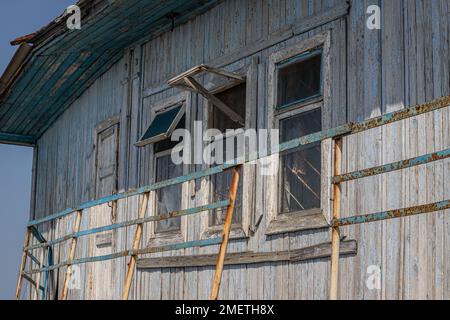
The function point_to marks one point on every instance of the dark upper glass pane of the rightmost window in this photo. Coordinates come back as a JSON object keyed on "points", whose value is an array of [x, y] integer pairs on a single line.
{"points": [[299, 80]]}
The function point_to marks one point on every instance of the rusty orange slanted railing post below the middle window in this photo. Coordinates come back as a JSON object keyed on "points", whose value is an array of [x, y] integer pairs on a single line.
{"points": [[225, 234]]}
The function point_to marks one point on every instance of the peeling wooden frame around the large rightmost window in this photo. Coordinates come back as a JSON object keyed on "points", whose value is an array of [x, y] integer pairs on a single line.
{"points": [[277, 221]]}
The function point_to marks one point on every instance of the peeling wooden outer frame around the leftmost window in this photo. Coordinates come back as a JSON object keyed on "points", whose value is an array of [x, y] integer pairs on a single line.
{"points": [[156, 239]]}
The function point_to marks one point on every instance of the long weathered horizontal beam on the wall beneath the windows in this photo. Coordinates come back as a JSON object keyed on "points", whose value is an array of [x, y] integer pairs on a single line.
{"points": [[319, 251]]}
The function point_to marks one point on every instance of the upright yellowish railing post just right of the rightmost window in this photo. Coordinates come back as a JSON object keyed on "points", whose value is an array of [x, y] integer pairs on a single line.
{"points": [[335, 233]]}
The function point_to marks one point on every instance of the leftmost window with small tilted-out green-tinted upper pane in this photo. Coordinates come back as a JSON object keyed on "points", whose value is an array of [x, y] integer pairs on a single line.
{"points": [[166, 116]]}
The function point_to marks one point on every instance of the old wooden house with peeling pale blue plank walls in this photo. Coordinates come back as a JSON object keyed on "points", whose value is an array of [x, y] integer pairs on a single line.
{"points": [[99, 104]]}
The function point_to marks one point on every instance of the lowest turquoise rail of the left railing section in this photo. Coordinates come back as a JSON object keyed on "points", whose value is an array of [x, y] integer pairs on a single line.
{"points": [[171, 247]]}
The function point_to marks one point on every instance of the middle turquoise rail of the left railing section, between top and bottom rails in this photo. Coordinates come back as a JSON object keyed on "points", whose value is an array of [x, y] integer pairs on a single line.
{"points": [[115, 226]]}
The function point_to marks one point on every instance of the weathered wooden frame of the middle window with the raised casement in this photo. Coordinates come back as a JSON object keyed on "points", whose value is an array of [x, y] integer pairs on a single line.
{"points": [[238, 230]]}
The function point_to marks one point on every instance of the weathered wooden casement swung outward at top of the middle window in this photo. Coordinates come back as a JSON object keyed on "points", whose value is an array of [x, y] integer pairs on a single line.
{"points": [[187, 81]]}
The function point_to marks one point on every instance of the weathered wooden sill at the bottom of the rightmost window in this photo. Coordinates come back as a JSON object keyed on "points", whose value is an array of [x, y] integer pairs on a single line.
{"points": [[299, 221]]}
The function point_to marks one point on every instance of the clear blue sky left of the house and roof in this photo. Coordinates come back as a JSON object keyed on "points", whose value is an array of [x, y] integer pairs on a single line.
{"points": [[17, 18]]}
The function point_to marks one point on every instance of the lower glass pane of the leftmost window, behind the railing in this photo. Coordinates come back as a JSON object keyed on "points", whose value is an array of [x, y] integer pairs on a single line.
{"points": [[169, 198]]}
